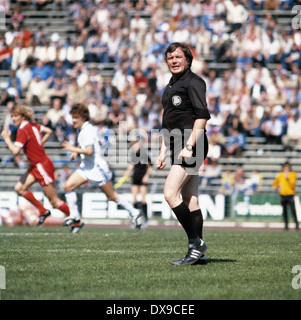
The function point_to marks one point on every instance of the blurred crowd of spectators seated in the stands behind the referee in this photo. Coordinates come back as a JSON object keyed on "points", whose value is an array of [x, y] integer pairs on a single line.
{"points": [[257, 94]]}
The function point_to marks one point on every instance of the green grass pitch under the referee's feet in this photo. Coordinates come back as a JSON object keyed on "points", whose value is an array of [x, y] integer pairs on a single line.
{"points": [[122, 264]]}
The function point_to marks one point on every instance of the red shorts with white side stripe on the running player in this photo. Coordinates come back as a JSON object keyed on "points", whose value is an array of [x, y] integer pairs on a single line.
{"points": [[43, 172]]}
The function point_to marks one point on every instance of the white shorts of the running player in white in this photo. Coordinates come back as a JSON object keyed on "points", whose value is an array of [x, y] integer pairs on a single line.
{"points": [[98, 175]]}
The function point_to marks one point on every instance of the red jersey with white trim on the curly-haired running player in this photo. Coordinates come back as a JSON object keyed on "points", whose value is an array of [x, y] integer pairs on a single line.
{"points": [[30, 139]]}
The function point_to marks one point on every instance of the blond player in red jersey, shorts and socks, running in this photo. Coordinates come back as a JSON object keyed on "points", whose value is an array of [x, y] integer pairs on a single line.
{"points": [[31, 138]]}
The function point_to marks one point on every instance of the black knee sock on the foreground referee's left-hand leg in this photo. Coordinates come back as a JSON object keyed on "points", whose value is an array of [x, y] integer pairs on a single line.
{"points": [[183, 214]]}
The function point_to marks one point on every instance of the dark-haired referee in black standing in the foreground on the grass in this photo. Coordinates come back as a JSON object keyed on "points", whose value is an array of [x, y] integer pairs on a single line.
{"points": [[184, 121]]}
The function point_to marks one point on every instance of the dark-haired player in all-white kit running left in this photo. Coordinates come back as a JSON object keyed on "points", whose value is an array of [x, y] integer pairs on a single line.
{"points": [[93, 169]]}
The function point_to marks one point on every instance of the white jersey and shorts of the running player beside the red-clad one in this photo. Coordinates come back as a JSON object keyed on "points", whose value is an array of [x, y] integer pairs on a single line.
{"points": [[93, 168]]}
